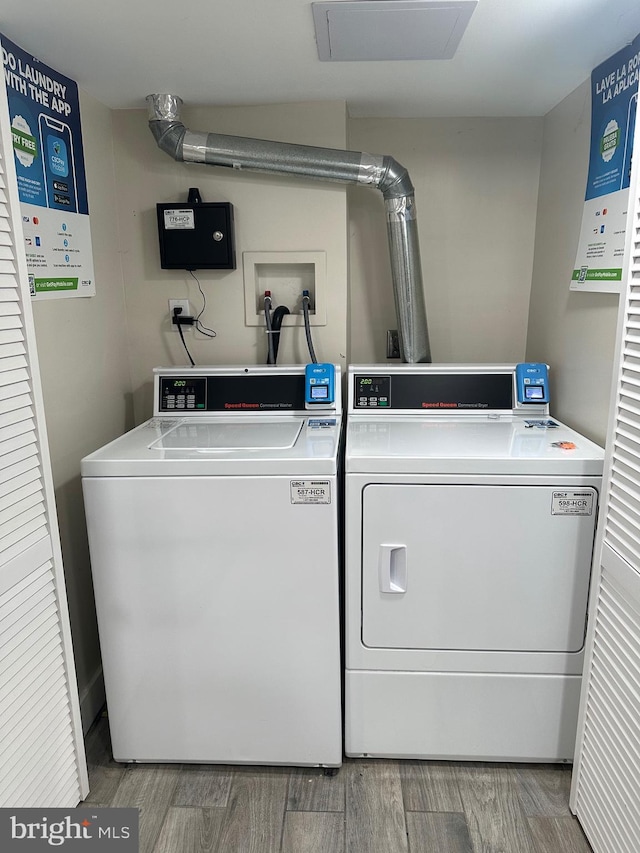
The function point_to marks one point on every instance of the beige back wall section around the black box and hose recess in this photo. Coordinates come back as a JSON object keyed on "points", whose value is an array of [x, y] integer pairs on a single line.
{"points": [[272, 213]]}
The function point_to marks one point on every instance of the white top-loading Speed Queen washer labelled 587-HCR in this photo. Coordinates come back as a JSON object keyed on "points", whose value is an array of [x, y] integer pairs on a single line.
{"points": [[213, 531]]}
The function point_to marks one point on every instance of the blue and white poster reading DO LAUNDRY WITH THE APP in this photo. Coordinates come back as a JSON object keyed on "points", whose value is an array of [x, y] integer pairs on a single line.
{"points": [[44, 111]]}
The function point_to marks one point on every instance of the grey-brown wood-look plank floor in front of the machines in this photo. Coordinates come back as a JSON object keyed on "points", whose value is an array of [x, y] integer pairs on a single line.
{"points": [[368, 807]]}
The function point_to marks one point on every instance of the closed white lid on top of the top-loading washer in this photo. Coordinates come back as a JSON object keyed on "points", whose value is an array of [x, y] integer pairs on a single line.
{"points": [[231, 434]]}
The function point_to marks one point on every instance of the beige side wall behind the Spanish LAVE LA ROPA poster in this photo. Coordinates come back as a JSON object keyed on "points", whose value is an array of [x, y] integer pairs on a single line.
{"points": [[573, 332]]}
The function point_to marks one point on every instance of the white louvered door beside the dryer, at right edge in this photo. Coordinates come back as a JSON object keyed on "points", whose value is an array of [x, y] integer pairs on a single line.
{"points": [[605, 792]]}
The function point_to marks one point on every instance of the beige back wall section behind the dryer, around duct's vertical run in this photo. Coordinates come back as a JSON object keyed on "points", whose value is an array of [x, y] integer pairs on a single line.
{"points": [[476, 184]]}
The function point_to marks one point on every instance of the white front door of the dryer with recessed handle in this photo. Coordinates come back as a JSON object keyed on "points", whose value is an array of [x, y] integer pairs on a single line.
{"points": [[494, 568]]}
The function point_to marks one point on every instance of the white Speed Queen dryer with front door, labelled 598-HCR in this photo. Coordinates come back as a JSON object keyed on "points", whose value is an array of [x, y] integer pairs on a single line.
{"points": [[470, 519]]}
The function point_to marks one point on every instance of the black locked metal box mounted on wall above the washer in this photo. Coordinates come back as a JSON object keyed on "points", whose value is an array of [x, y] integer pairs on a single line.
{"points": [[196, 236]]}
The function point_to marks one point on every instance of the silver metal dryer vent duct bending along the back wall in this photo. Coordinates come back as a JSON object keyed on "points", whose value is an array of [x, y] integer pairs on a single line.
{"points": [[325, 164]]}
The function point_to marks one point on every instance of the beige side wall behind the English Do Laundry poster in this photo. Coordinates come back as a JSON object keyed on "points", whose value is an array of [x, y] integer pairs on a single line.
{"points": [[82, 350]]}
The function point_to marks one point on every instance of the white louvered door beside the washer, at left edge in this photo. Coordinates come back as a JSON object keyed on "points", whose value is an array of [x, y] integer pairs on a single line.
{"points": [[42, 761]]}
